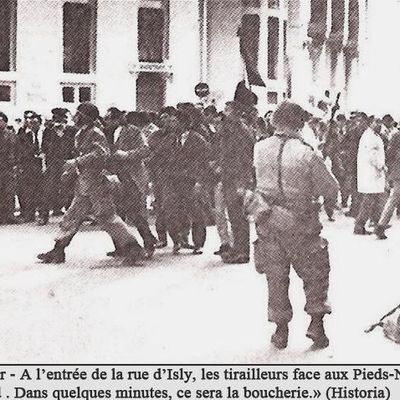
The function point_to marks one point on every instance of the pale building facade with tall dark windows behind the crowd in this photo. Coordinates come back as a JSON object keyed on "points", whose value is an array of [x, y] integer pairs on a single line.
{"points": [[143, 54]]}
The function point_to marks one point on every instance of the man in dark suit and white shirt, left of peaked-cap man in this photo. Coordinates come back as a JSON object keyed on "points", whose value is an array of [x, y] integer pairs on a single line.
{"points": [[29, 163]]}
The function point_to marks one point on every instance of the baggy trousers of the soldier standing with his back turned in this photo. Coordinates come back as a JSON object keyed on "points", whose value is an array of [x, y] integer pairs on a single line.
{"points": [[308, 255]]}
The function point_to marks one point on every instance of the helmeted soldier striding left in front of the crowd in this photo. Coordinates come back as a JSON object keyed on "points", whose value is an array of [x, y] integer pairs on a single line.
{"points": [[92, 190]]}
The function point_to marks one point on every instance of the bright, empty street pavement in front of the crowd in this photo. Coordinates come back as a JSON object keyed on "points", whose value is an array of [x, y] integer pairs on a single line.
{"points": [[184, 309]]}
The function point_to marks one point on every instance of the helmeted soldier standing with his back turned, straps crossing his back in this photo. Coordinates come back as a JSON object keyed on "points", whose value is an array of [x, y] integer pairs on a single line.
{"points": [[290, 178]]}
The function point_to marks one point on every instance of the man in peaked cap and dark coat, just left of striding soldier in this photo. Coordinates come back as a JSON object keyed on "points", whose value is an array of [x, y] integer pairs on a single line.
{"points": [[57, 147]]}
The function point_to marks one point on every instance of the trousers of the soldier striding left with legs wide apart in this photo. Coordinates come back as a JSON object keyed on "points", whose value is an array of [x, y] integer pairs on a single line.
{"points": [[103, 208]]}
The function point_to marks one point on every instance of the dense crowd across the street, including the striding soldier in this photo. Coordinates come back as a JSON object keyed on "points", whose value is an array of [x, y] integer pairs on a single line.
{"points": [[197, 163]]}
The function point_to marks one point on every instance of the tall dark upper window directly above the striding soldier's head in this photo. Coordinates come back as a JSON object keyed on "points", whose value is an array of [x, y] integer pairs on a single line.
{"points": [[78, 37]]}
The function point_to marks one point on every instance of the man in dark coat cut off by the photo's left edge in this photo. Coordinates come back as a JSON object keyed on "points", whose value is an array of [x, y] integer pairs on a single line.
{"points": [[6, 172]]}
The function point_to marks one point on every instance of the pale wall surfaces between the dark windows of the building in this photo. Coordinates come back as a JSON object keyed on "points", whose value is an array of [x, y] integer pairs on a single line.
{"points": [[40, 58]]}
